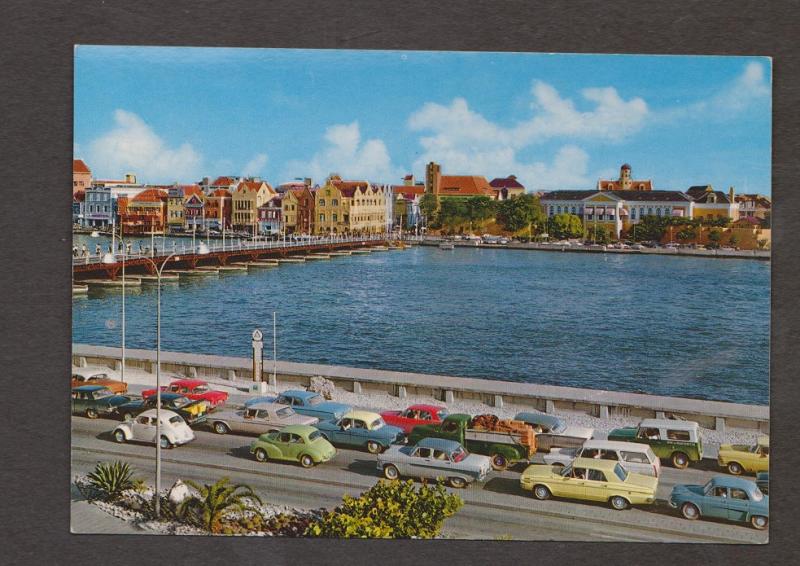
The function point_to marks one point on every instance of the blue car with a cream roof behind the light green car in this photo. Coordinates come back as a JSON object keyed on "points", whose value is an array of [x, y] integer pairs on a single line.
{"points": [[361, 429]]}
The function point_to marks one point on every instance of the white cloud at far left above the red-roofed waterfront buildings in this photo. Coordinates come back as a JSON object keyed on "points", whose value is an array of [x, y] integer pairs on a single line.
{"points": [[133, 146]]}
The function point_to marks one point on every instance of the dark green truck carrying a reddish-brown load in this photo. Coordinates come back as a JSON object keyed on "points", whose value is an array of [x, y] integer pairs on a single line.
{"points": [[504, 441]]}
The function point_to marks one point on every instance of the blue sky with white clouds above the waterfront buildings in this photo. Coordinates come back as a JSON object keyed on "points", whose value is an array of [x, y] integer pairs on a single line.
{"points": [[556, 121]]}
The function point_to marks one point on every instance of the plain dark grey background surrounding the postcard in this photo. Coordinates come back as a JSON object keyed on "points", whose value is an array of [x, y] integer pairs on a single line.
{"points": [[35, 153]]}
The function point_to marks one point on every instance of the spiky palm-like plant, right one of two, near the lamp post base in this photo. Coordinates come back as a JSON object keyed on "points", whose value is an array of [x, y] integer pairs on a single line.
{"points": [[212, 502]]}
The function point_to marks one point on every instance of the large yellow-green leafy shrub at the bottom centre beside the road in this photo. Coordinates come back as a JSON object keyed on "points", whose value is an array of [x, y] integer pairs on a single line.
{"points": [[390, 510]]}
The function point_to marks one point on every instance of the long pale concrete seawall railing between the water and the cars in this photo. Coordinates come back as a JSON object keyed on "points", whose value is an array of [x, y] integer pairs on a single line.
{"points": [[599, 403]]}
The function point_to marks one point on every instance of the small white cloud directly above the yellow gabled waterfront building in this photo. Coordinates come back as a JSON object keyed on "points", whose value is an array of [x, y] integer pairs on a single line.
{"points": [[346, 154]]}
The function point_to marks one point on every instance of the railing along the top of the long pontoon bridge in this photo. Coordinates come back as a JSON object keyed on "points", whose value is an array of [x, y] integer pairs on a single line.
{"points": [[186, 248]]}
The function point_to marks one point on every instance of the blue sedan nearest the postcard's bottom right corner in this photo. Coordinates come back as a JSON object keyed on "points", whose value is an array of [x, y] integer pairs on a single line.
{"points": [[723, 497]]}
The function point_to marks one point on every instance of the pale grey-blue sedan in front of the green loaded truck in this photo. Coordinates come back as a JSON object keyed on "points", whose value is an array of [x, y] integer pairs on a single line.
{"points": [[433, 458]]}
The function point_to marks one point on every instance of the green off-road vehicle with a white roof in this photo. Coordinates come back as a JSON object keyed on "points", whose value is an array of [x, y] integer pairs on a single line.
{"points": [[678, 441]]}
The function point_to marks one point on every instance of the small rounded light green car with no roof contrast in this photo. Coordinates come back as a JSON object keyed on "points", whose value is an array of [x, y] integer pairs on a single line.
{"points": [[295, 443]]}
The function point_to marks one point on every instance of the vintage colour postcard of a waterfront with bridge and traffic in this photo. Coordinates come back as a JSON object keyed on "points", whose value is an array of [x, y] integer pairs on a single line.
{"points": [[409, 294]]}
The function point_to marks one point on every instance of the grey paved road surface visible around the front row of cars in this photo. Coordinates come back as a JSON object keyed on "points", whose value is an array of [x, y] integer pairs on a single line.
{"points": [[498, 508]]}
